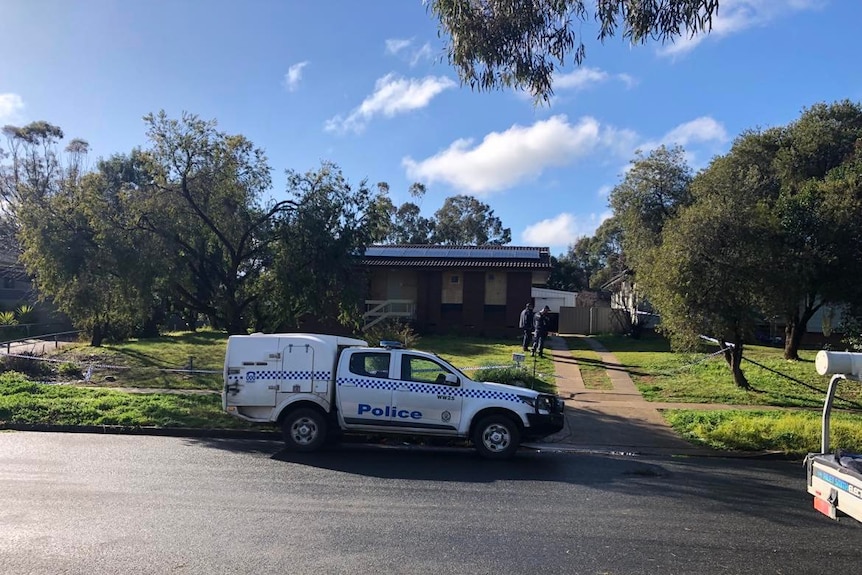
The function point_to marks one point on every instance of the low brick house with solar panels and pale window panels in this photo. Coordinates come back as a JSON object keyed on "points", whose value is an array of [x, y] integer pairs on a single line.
{"points": [[478, 290]]}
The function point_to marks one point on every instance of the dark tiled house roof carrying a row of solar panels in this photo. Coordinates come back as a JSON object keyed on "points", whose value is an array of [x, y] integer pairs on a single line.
{"points": [[434, 256]]}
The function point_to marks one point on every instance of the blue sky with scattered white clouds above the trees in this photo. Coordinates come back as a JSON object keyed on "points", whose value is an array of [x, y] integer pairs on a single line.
{"points": [[365, 85]]}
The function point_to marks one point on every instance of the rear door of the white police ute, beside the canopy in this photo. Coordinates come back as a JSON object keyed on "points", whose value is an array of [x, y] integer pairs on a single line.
{"points": [[365, 393]]}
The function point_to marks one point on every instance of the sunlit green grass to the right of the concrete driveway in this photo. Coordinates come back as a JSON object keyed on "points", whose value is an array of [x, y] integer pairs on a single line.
{"points": [[702, 378]]}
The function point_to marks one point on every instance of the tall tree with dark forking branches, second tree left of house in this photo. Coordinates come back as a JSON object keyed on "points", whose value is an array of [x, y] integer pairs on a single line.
{"points": [[204, 206]]}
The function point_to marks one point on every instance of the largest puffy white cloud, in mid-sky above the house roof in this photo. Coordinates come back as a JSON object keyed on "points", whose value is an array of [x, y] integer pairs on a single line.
{"points": [[504, 159]]}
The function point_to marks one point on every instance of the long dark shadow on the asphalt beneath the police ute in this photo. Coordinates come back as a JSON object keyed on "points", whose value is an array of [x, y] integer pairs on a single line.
{"points": [[732, 485]]}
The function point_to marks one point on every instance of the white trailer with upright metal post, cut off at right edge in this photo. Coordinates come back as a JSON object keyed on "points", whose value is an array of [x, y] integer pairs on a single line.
{"points": [[835, 478]]}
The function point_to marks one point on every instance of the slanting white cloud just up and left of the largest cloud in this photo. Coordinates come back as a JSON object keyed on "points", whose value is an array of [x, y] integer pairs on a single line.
{"points": [[392, 96]]}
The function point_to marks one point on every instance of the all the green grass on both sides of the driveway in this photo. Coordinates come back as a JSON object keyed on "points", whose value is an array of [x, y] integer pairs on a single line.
{"points": [[659, 374]]}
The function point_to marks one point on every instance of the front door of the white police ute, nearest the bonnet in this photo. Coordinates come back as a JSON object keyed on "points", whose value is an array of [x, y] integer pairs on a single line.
{"points": [[422, 394]]}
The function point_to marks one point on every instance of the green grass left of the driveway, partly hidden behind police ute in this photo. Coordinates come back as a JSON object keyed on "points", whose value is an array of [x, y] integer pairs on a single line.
{"points": [[147, 363]]}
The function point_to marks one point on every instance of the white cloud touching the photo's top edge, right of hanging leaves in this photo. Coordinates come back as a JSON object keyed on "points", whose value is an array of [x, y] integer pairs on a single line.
{"points": [[737, 15]]}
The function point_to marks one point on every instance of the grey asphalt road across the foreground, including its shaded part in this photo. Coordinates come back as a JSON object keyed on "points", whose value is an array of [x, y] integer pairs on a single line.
{"points": [[93, 504]]}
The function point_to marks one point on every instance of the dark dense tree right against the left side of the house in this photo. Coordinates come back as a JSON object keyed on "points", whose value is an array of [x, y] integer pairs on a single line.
{"points": [[312, 269]]}
